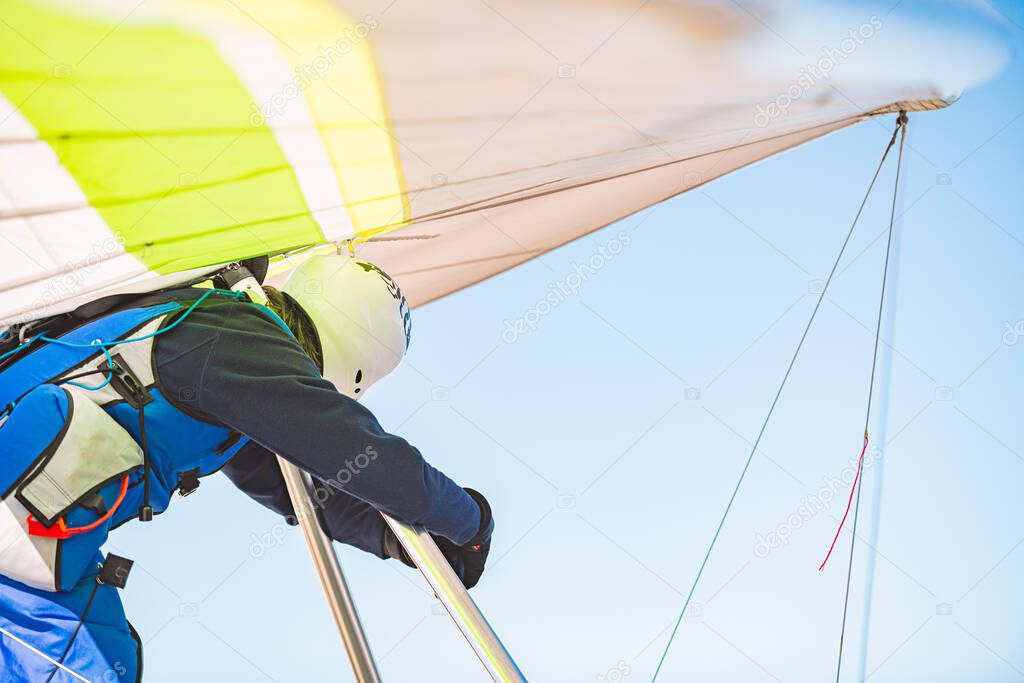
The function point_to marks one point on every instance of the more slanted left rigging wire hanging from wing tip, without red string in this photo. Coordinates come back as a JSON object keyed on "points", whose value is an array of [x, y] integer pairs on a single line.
{"points": [[772, 410]]}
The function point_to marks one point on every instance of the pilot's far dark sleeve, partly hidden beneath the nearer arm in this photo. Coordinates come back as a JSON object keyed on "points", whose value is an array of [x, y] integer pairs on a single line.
{"points": [[345, 518]]}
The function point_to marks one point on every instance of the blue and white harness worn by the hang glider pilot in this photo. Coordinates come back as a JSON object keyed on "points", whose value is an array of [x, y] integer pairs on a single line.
{"points": [[90, 441]]}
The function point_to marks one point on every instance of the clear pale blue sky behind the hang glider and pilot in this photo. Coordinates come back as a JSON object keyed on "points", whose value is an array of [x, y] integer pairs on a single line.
{"points": [[610, 437]]}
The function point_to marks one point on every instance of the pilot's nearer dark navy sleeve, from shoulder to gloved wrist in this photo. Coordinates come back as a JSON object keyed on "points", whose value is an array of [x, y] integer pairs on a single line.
{"points": [[233, 365]]}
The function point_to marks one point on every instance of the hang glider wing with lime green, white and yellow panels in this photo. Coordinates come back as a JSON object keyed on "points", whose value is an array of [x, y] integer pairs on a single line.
{"points": [[142, 145]]}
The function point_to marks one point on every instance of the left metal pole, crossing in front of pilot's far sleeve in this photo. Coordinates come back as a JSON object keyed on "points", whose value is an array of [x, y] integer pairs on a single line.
{"points": [[326, 563]]}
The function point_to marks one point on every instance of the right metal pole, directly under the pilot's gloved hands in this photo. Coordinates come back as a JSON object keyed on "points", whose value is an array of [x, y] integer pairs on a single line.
{"points": [[453, 595]]}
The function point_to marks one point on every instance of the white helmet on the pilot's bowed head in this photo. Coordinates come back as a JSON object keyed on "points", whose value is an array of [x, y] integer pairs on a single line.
{"points": [[361, 316]]}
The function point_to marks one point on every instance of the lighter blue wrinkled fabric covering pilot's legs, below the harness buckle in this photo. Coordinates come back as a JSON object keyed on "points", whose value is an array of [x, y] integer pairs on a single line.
{"points": [[80, 635]]}
